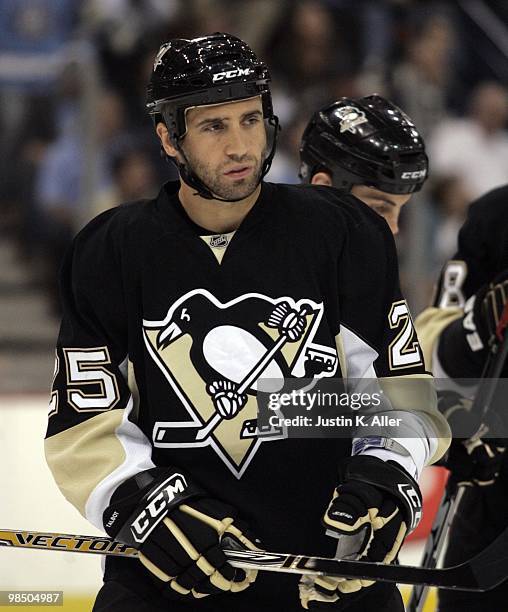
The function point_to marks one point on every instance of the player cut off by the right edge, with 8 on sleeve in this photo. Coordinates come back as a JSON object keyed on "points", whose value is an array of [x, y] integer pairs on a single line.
{"points": [[455, 334]]}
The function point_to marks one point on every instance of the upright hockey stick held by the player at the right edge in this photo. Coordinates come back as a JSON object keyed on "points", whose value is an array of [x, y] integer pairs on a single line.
{"points": [[453, 492]]}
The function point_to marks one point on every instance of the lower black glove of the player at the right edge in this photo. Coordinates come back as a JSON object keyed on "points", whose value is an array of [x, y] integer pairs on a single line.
{"points": [[471, 462]]}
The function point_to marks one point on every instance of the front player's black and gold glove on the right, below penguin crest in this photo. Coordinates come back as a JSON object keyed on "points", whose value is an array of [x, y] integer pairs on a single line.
{"points": [[377, 499]]}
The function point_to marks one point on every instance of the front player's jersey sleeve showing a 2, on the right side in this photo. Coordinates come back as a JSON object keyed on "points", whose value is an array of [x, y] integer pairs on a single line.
{"points": [[378, 339]]}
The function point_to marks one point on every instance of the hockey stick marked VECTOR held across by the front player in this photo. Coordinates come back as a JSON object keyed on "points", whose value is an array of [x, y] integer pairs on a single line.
{"points": [[483, 572]]}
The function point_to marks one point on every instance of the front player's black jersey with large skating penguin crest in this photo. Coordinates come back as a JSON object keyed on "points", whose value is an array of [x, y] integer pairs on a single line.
{"points": [[157, 312]]}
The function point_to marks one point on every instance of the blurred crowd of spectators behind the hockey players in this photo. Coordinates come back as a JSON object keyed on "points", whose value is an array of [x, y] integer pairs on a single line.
{"points": [[75, 138]]}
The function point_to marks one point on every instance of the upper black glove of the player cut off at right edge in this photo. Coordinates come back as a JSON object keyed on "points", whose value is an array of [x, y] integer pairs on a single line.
{"points": [[463, 345]]}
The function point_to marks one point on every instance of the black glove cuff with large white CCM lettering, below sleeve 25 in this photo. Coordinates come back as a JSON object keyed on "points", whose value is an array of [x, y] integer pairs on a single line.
{"points": [[140, 503]]}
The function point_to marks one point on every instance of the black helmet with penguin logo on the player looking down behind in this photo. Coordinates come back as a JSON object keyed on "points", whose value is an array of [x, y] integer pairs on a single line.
{"points": [[364, 141]]}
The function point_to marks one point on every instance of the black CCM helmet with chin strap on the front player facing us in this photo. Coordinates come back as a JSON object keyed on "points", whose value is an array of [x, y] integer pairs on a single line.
{"points": [[211, 69]]}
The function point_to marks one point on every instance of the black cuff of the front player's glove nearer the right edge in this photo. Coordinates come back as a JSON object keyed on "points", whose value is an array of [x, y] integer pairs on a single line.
{"points": [[388, 476]]}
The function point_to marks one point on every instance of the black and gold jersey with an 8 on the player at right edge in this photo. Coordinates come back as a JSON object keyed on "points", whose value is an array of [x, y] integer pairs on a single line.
{"points": [[482, 254]]}
